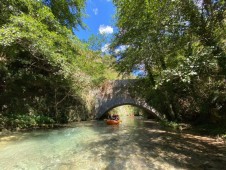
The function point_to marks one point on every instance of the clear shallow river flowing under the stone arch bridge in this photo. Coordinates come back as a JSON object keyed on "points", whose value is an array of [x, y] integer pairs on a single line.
{"points": [[135, 144]]}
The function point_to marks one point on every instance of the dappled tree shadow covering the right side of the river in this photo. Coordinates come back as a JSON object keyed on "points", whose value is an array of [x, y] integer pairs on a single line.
{"points": [[149, 146]]}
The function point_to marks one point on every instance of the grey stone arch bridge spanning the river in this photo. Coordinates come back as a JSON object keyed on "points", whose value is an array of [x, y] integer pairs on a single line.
{"points": [[117, 93]]}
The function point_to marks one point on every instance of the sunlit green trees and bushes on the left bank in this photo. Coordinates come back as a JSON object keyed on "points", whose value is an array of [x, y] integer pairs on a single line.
{"points": [[43, 66]]}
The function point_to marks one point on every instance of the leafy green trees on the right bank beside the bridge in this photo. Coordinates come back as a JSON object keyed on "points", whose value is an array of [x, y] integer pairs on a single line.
{"points": [[180, 47]]}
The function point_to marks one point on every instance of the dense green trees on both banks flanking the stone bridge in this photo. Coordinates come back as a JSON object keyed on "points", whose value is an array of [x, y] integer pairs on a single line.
{"points": [[178, 47]]}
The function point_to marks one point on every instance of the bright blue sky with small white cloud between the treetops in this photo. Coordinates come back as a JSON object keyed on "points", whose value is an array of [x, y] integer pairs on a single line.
{"points": [[99, 20]]}
